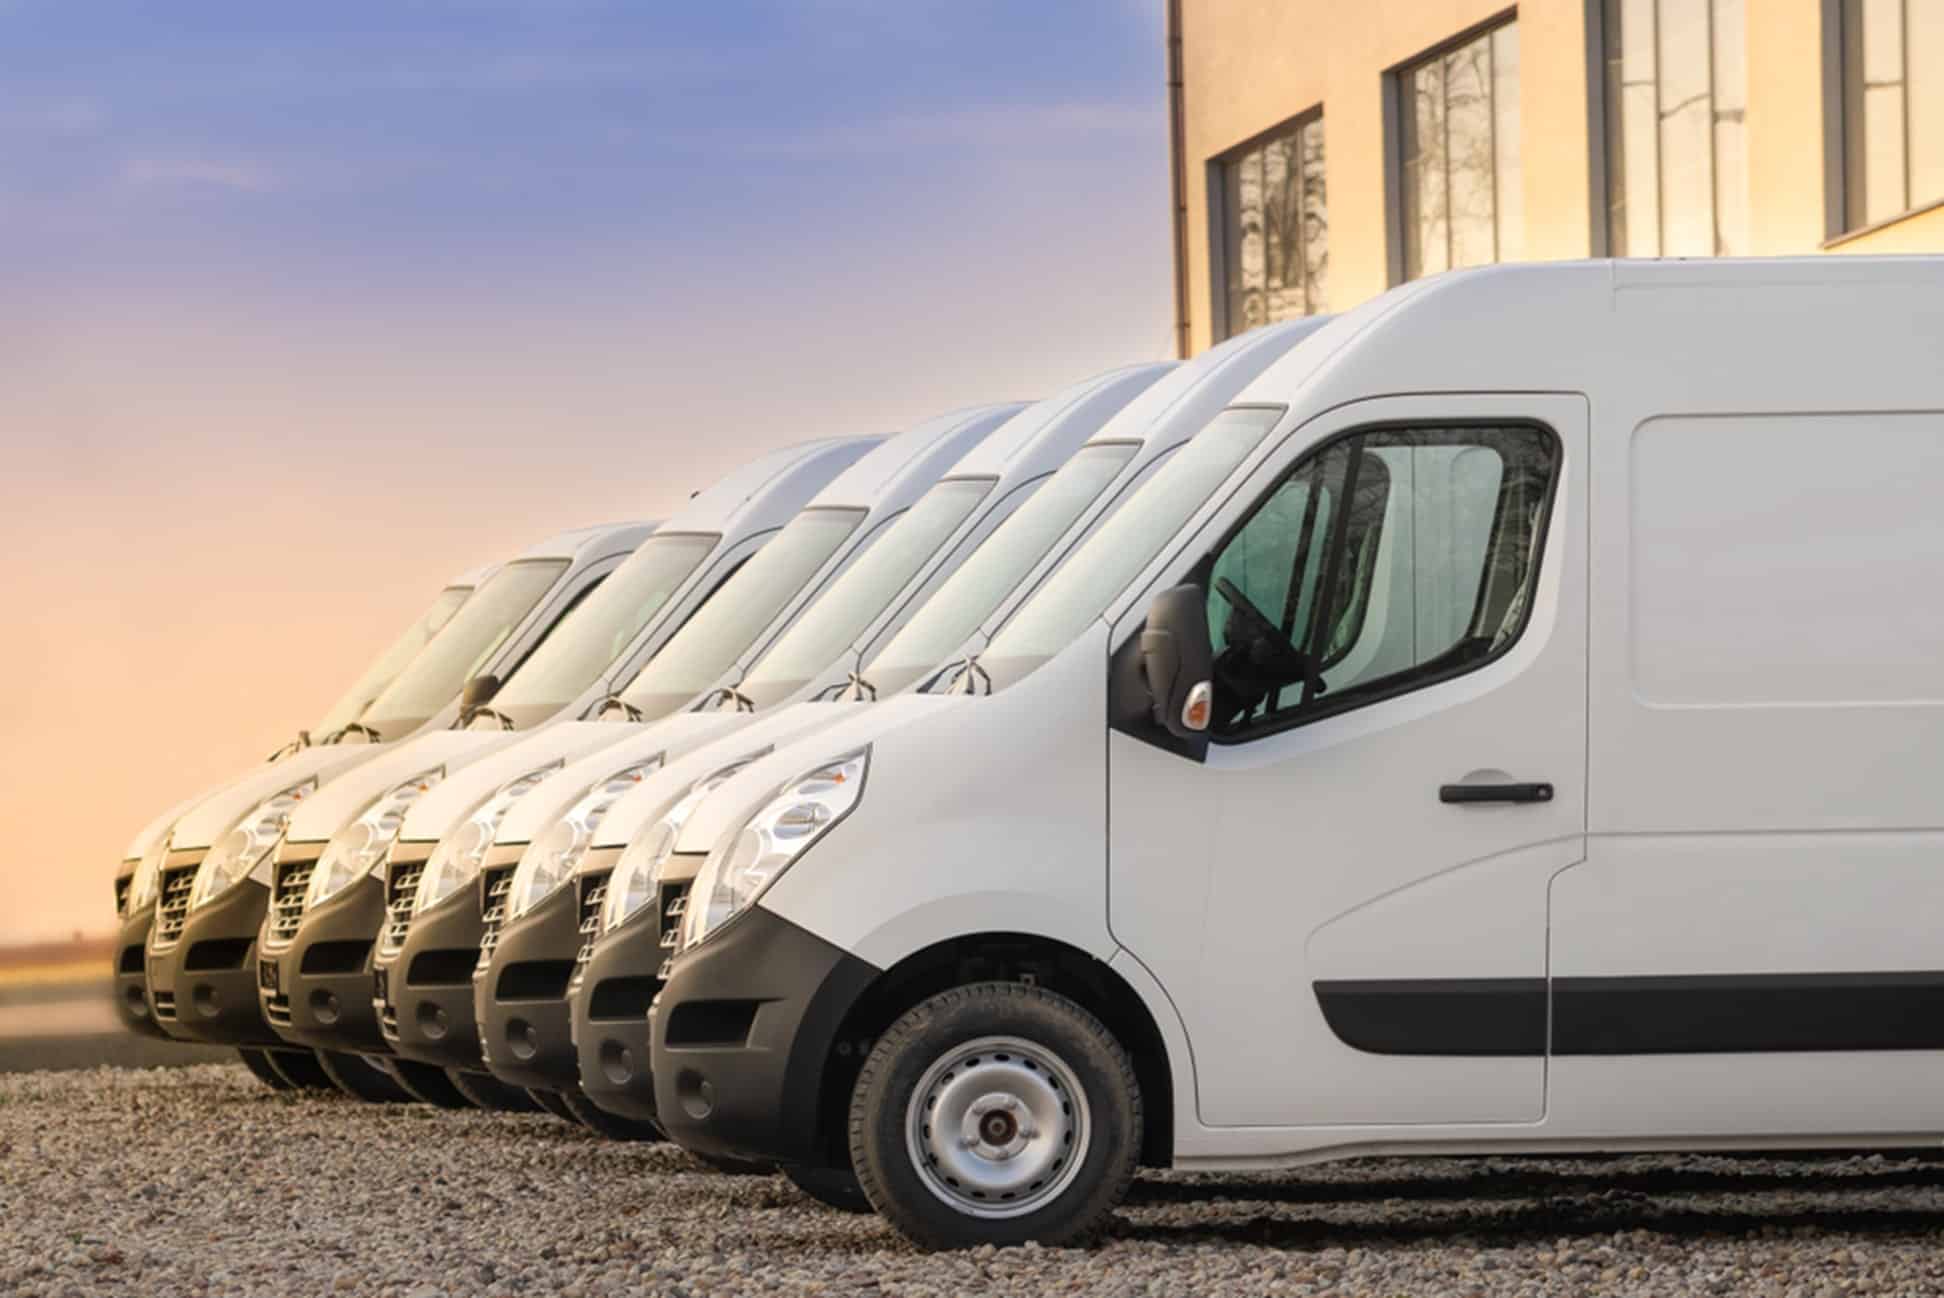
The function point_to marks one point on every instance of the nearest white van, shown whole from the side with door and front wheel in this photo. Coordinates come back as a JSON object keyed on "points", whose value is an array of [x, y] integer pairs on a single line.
{"points": [[1510, 728]]}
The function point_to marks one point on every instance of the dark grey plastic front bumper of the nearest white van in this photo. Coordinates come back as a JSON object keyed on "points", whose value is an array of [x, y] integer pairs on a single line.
{"points": [[742, 1037]]}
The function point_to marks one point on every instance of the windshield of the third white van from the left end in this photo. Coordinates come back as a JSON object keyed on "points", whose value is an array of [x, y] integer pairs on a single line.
{"points": [[606, 625]]}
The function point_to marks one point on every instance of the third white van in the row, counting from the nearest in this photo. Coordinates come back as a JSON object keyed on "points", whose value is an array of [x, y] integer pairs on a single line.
{"points": [[553, 895]]}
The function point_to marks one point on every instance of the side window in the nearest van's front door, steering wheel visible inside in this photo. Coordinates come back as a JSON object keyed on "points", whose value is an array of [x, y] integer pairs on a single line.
{"points": [[1381, 564]]}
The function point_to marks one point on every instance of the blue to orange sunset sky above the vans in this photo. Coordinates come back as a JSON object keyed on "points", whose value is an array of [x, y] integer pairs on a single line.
{"points": [[308, 308]]}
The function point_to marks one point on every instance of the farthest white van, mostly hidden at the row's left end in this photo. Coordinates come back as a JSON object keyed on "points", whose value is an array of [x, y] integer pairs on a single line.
{"points": [[135, 899]]}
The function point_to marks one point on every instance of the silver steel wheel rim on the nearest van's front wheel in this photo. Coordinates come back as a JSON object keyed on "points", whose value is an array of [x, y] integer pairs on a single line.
{"points": [[998, 1128]]}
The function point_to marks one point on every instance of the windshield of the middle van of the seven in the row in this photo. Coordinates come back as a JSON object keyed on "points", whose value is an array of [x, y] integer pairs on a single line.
{"points": [[724, 629]]}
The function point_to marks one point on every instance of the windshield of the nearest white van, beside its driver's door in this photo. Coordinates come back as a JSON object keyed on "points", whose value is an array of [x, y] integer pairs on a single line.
{"points": [[1125, 545]]}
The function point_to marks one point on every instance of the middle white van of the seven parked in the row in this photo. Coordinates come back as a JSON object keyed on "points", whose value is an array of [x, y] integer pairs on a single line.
{"points": [[431, 947]]}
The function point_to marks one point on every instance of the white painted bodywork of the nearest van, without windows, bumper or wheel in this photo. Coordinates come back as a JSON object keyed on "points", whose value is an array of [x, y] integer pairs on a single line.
{"points": [[1727, 677]]}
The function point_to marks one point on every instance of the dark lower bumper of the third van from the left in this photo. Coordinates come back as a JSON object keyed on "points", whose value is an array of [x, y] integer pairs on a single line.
{"points": [[318, 990]]}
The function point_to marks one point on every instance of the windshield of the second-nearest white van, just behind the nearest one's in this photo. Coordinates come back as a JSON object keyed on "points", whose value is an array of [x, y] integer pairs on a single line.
{"points": [[971, 596]]}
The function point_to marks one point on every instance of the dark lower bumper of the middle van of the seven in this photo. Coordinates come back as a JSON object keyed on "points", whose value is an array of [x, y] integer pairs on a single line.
{"points": [[427, 1004]]}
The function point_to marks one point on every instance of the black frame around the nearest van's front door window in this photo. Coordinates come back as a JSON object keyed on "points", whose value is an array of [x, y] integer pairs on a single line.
{"points": [[1408, 681]]}
